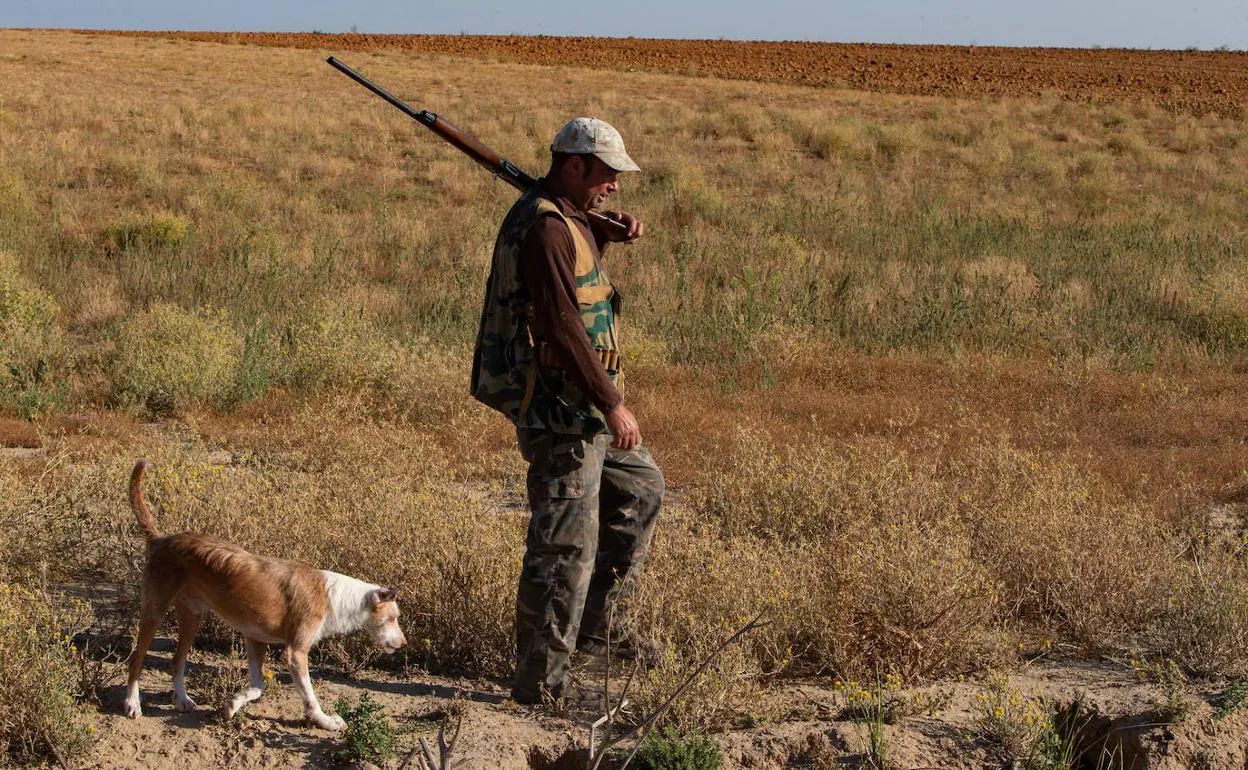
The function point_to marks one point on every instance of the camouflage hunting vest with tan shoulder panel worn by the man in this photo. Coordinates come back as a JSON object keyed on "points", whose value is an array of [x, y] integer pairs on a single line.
{"points": [[507, 375]]}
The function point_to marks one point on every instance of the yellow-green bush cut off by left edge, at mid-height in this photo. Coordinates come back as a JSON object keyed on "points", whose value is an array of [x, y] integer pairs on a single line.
{"points": [[34, 355]]}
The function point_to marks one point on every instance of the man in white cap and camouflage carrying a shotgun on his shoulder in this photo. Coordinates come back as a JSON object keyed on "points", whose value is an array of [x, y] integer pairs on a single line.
{"points": [[548, 359]]}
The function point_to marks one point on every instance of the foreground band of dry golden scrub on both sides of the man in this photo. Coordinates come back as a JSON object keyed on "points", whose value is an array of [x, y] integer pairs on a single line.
{"points": [[867, 556]]}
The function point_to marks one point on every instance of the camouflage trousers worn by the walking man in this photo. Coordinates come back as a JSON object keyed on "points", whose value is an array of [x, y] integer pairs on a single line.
{"points": [[593, 515]]}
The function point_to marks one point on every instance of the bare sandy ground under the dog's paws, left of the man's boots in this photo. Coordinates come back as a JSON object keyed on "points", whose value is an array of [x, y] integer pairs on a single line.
{"points": [[271, 733]]}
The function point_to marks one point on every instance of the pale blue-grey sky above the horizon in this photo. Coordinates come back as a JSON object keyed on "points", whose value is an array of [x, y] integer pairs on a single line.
{"points": [[1159, 24]]}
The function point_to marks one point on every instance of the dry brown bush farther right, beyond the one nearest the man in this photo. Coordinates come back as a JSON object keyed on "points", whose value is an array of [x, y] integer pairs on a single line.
{"points": [[1064, 555]]}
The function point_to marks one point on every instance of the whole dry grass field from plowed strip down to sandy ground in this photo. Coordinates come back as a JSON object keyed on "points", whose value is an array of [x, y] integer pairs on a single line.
{"points": [[927, 378]]}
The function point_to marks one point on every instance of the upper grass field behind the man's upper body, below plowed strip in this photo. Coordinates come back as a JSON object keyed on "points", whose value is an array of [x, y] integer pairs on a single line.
{"points": [[874, 223]]}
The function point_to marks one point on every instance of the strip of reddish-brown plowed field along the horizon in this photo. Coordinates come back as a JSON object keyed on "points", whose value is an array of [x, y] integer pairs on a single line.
{"points": [[1189, 82]]}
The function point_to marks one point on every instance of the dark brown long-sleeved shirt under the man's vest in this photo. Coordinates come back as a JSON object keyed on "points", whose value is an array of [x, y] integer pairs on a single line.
{"points": [[547, 265]]}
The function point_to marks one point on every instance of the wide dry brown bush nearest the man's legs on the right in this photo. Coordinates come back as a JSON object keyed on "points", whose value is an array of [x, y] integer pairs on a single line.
{"points": [[872, 561]]}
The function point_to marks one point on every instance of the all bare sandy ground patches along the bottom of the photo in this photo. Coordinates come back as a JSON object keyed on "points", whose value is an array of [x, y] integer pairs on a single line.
{"points": [[497, 733]]}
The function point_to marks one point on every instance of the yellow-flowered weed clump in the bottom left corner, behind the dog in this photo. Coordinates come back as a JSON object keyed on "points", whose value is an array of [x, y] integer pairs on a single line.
{"points": [[41, 718]]}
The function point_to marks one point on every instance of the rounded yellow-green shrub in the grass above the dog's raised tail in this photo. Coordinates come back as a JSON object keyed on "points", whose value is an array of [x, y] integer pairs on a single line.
{"points": [[170, 359]]}
